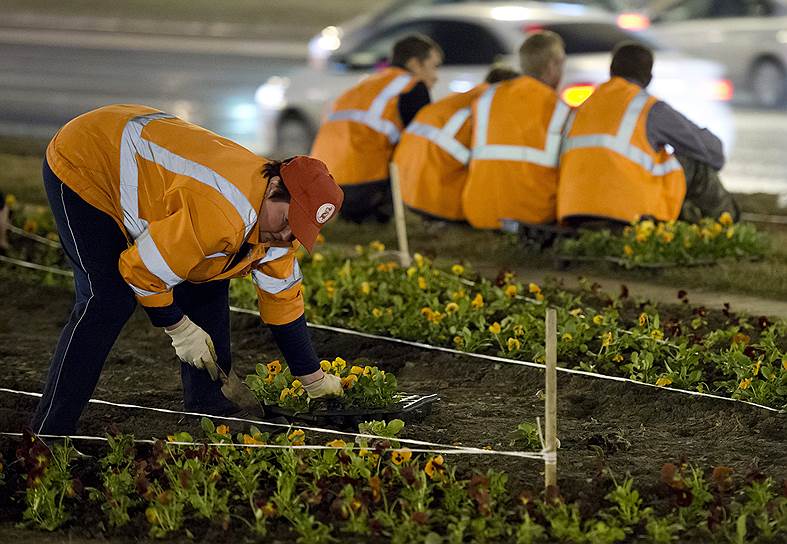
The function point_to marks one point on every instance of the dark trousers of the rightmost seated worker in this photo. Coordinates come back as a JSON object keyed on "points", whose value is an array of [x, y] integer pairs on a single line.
{"points": [[705, 194]]}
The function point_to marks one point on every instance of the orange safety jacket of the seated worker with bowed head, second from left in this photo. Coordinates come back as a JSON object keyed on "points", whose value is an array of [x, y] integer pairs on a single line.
{"points": [[433, 154]]}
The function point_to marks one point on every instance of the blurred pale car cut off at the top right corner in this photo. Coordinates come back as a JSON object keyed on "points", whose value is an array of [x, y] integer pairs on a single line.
{"points": [[749, 37]]}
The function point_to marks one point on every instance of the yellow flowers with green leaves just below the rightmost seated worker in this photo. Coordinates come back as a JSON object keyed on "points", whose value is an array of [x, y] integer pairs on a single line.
{"points": [[646, 243]]}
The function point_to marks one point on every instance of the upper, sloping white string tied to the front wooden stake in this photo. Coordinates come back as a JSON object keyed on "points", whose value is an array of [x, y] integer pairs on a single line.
{"points": [[287, 426]]}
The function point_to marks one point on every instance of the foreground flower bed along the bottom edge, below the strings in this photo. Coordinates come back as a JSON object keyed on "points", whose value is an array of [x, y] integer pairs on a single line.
{"points": [[370, 489]]}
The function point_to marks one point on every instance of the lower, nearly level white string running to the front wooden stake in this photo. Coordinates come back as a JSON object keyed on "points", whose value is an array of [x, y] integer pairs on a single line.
{"points": [[350, 446]]}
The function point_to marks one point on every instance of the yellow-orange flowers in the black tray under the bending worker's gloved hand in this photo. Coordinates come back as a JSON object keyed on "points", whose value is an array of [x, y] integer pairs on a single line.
{"points": [[364, 386]]}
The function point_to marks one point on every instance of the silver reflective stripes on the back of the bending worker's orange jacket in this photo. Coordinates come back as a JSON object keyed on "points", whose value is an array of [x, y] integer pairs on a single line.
{"points": [[131, 145]]}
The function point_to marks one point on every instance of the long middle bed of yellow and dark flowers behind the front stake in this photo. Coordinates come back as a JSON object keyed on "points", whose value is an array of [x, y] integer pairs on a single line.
{"points": [[734, 355]]}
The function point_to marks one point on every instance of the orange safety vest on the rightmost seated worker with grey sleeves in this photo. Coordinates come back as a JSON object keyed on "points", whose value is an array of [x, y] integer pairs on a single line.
{"points": [[608, 167]]}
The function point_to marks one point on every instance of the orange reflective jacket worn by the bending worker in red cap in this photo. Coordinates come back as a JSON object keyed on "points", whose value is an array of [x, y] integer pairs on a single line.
{"points": [[186, 199]]}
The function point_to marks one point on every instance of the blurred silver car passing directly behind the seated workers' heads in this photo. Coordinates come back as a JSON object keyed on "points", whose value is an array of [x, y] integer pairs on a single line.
{"points": [[474, 36]]}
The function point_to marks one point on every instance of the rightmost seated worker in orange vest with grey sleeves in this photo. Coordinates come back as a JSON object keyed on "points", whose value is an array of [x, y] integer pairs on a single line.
{"points": [[615, 165]]}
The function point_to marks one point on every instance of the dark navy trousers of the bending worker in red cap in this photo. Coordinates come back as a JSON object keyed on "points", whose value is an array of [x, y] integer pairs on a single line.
{"points": [[93, 243]]}
